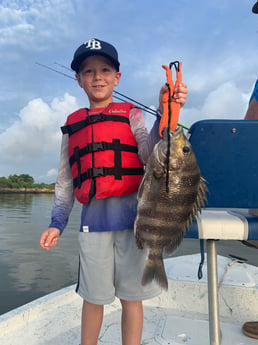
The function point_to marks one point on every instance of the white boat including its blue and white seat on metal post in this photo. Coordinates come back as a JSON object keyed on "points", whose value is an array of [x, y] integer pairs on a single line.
{"points": [[193, 311]]}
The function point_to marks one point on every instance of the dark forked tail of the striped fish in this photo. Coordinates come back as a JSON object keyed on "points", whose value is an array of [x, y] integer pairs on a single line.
{"points": [[155, 270]]}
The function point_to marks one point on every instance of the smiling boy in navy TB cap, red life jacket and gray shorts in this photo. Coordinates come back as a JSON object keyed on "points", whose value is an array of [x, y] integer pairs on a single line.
{"points": [[106, 146]]}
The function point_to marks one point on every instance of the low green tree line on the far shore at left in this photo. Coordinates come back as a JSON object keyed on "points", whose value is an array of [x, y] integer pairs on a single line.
{"points": [[23, 181]]}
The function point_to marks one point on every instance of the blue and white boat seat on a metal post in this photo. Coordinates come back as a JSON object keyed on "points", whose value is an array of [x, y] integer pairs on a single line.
{"points": [[227, 155]]}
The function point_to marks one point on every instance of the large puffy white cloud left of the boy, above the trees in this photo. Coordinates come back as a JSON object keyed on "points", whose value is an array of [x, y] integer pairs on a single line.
{"points": [[36, 135]]}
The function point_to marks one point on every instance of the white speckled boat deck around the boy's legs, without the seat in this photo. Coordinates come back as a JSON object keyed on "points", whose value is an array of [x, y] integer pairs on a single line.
{"points": [[179, 316]]}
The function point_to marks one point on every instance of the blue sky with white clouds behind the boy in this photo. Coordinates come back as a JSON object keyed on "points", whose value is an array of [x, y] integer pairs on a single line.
{"points": [[216, 41]]}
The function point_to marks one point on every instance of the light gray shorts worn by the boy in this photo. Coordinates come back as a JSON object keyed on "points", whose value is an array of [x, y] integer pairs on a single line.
{"points": [[111, 265]]}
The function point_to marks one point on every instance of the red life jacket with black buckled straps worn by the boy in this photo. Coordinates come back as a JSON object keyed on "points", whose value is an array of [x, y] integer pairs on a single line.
{"points": [[103, 153]]}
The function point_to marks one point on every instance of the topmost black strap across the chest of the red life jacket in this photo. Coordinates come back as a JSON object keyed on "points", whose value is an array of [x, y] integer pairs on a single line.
{"points": [[91, 119]]}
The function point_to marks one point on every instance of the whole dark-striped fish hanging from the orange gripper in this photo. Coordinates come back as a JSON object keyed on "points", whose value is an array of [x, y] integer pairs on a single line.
{"points": [[170, 196]]}
